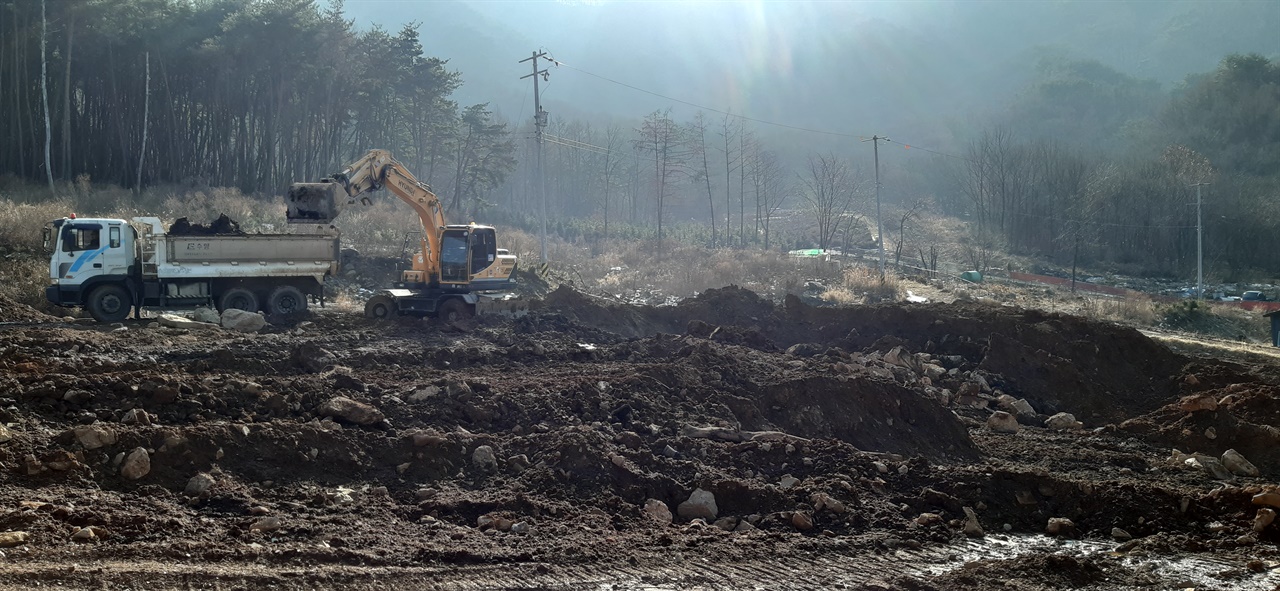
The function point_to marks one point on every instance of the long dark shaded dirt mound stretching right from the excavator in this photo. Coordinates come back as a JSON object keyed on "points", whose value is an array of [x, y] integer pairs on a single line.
{"points": [[1100, 373]]}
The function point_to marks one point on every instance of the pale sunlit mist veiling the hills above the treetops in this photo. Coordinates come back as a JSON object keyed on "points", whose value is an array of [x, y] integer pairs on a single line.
{"points": [[929, 71]]}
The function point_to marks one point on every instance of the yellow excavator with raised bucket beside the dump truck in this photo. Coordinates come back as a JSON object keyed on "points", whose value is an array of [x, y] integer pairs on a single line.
{"points": [[455, 265]]}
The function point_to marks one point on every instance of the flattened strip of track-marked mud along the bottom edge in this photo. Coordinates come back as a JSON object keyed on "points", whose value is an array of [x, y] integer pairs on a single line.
{"points": [[799, 572]]}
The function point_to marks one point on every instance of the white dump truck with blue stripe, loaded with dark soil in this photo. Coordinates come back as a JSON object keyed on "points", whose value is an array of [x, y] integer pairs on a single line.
{"points": [[112, 267]]}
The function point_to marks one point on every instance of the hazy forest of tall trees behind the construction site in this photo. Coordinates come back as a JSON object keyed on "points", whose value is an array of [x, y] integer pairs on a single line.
{"points": [[1085, 164]]}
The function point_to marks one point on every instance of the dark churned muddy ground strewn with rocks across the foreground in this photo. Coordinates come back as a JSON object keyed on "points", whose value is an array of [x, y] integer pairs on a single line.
{"points": [[843, 448]]}
